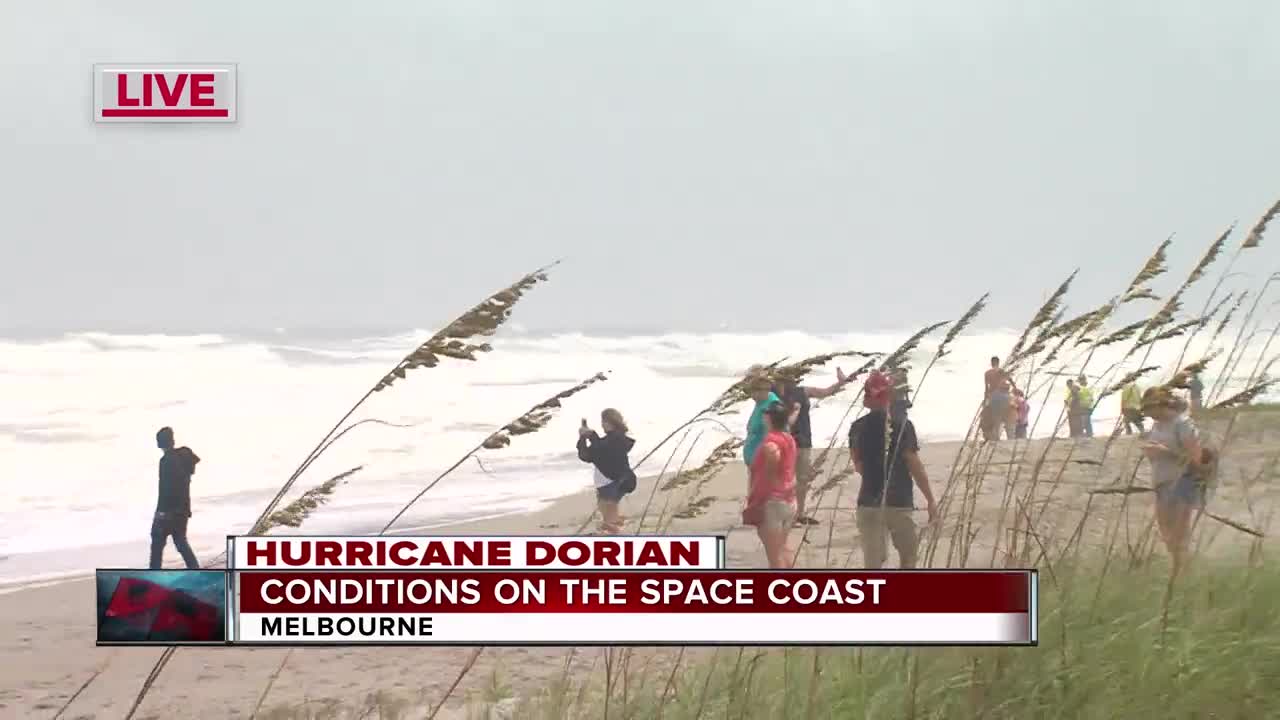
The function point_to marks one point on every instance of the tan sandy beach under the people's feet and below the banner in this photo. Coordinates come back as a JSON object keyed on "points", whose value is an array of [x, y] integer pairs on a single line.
{"points": [[47, 644]]}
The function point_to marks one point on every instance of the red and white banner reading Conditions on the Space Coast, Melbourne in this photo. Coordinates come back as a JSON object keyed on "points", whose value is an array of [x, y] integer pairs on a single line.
{"points": [[637, 608]]}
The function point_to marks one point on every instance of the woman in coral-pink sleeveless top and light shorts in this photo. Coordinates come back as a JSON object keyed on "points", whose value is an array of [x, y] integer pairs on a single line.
{"points": [[771, 504]]}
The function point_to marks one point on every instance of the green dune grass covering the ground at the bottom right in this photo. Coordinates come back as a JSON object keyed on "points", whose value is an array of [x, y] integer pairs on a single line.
{"points": [[1218, 657]]}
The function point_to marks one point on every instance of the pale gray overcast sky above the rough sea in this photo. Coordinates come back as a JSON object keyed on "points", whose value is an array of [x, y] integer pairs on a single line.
{"points": [[752, 166]]}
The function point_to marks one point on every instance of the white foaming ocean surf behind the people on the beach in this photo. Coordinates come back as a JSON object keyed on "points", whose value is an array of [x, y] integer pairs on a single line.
{"points": [[80, 414]]}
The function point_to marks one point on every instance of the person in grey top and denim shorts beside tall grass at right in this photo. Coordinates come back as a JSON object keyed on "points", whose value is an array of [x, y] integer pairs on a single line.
{"points": [[1180, 473]]}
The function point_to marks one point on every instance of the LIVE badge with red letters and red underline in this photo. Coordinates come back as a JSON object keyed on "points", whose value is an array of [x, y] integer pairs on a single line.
{"points": [[164, 94]]}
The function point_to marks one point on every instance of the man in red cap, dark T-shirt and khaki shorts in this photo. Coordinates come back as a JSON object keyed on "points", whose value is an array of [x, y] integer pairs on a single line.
{"points": [[885, 499]]}
